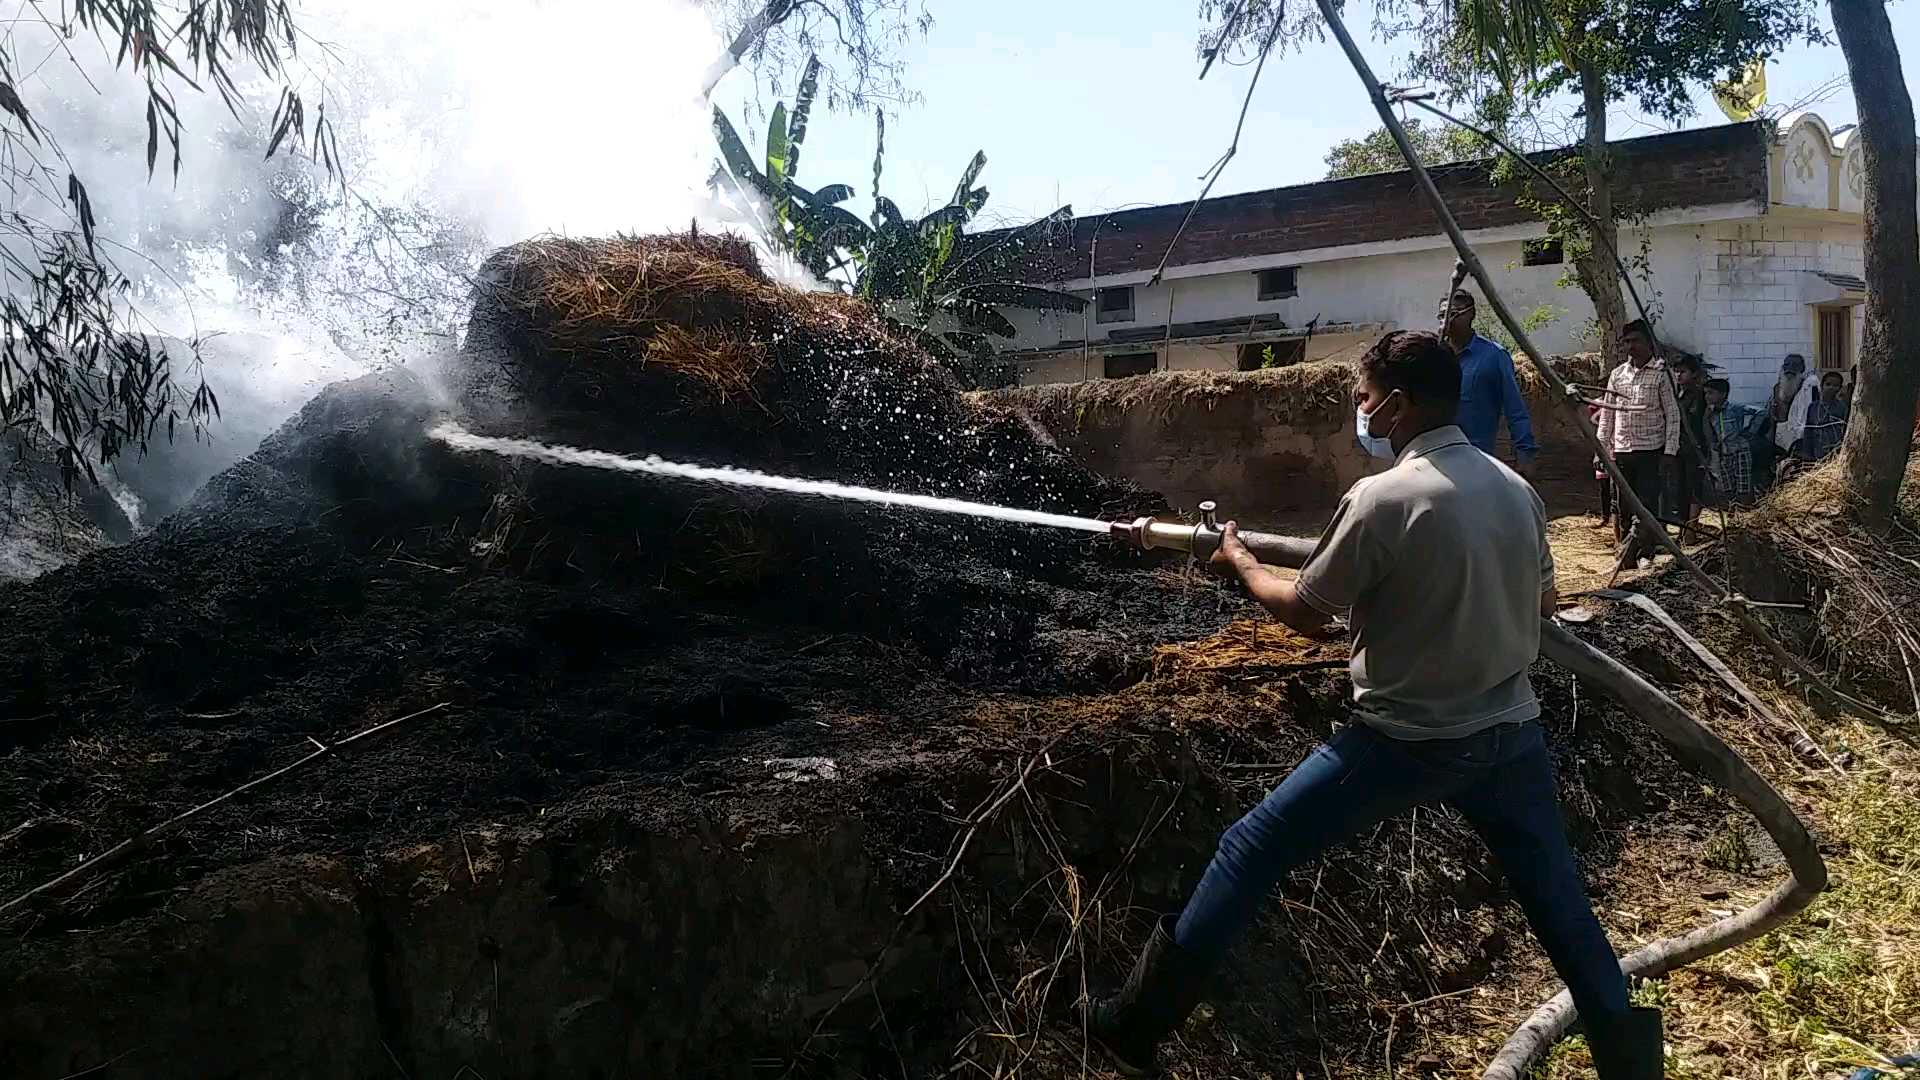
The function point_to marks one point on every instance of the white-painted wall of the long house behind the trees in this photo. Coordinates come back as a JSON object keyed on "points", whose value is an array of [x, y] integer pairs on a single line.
{"points": [[1739, 283]]}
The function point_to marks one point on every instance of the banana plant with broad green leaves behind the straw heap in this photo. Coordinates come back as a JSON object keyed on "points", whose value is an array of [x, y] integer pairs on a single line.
{"points": [[926, 276]]}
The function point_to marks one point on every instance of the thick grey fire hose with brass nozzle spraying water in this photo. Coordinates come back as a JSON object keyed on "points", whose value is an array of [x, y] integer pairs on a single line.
{"points": [[1687, 739]]}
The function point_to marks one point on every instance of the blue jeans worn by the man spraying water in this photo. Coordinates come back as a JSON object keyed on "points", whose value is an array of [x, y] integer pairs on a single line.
{"points": [[1500, 781]]}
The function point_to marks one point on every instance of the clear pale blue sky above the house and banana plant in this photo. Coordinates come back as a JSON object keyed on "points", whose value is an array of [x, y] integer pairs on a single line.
{"points": [[1097, 103]]}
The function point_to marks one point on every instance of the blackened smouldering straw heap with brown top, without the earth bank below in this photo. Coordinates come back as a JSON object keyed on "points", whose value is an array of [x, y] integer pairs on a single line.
{"points": [[588, 626]]}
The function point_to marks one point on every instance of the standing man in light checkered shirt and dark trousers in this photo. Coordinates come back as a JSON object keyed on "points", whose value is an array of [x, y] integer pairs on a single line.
{"points": [[1643, 431]]}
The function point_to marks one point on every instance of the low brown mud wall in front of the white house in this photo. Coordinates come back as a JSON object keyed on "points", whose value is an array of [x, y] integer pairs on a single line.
{"points": [[1260, 443]]}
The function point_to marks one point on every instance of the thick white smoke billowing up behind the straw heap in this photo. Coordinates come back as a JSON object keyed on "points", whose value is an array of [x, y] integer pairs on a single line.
{"points": [[462, 126]]}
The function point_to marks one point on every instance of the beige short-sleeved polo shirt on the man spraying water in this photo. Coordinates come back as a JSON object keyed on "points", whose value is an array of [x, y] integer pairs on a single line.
{"points": [[1439, 566]]}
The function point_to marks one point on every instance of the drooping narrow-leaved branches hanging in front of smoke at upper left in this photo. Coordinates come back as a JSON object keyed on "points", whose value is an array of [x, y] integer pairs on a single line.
{"points": [[72, 356]]}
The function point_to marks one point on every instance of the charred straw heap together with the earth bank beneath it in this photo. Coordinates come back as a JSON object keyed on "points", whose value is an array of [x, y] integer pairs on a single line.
{"points": [[725, 785]]}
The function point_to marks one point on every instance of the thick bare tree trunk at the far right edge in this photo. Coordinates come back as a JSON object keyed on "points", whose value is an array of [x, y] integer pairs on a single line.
{"points": [[1883, 426]]}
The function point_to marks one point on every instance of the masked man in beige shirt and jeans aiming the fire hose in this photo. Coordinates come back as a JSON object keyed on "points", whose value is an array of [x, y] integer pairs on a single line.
{"points": [[1443, 570]]}
